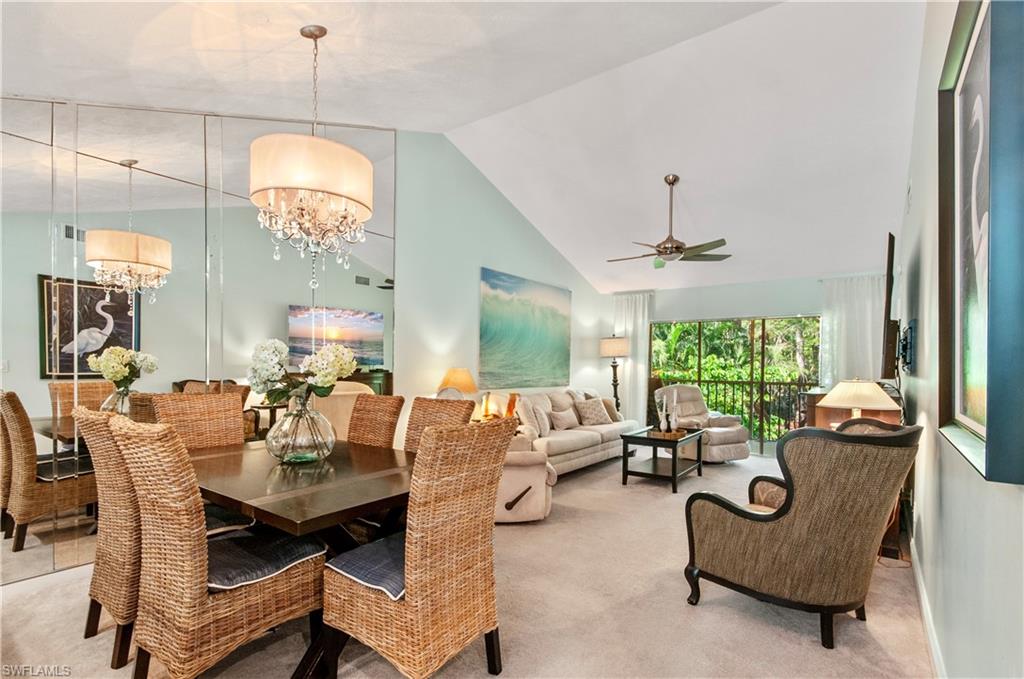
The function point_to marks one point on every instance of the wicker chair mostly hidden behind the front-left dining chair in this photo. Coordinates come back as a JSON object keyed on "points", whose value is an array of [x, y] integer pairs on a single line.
{"points": [[119, 542]]}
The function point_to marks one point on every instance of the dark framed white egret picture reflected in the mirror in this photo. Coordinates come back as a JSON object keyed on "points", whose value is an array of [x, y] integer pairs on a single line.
{"points": [[64, 350]]}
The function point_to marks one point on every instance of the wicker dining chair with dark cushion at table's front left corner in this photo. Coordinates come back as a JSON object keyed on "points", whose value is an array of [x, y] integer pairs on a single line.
{"points": [[199, 601]]}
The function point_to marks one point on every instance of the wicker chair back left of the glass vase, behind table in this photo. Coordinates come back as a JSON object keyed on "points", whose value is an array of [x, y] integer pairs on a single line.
{"points": [[202, 420]]}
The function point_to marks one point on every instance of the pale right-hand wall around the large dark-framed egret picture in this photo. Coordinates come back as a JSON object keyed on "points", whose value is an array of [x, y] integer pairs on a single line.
{"points": [[968, 534]]}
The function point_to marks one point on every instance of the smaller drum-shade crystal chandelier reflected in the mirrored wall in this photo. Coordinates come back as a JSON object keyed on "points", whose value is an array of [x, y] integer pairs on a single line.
{"points": [[126, 262]]}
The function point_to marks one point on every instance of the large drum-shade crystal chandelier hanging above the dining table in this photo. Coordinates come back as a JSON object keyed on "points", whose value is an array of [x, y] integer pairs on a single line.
{"points": [[313, 194]]}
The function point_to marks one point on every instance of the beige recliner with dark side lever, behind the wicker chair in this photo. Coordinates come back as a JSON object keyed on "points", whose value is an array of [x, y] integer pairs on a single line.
{"points": [[525, 492]]}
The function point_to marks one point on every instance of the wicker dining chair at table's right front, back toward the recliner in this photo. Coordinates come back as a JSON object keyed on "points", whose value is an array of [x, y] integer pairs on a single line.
{"points": [[420, 598]]}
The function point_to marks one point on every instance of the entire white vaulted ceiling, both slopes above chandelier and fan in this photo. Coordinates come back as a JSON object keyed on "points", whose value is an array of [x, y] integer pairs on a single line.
{"points": [[789, 125]]}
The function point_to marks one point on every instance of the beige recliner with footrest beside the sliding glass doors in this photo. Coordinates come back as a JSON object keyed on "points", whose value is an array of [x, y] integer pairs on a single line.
{"points": [[726, 437]]}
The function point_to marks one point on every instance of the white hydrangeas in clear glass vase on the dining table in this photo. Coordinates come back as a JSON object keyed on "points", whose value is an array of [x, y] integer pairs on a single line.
{"points": [[303, 435]]}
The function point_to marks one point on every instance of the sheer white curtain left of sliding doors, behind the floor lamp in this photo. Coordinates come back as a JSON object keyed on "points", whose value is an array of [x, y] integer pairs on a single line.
{"points": [[632, 320]]}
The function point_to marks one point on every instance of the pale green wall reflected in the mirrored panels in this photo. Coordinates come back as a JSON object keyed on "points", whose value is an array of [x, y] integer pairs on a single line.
{"points": [[257, 294]]}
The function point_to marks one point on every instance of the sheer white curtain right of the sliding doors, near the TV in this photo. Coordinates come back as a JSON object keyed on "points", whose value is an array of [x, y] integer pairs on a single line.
{"points": [[851, 329]]}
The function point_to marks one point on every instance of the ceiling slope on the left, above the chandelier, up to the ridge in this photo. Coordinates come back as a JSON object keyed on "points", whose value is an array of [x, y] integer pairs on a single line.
{"points": [[410, 66]]}
